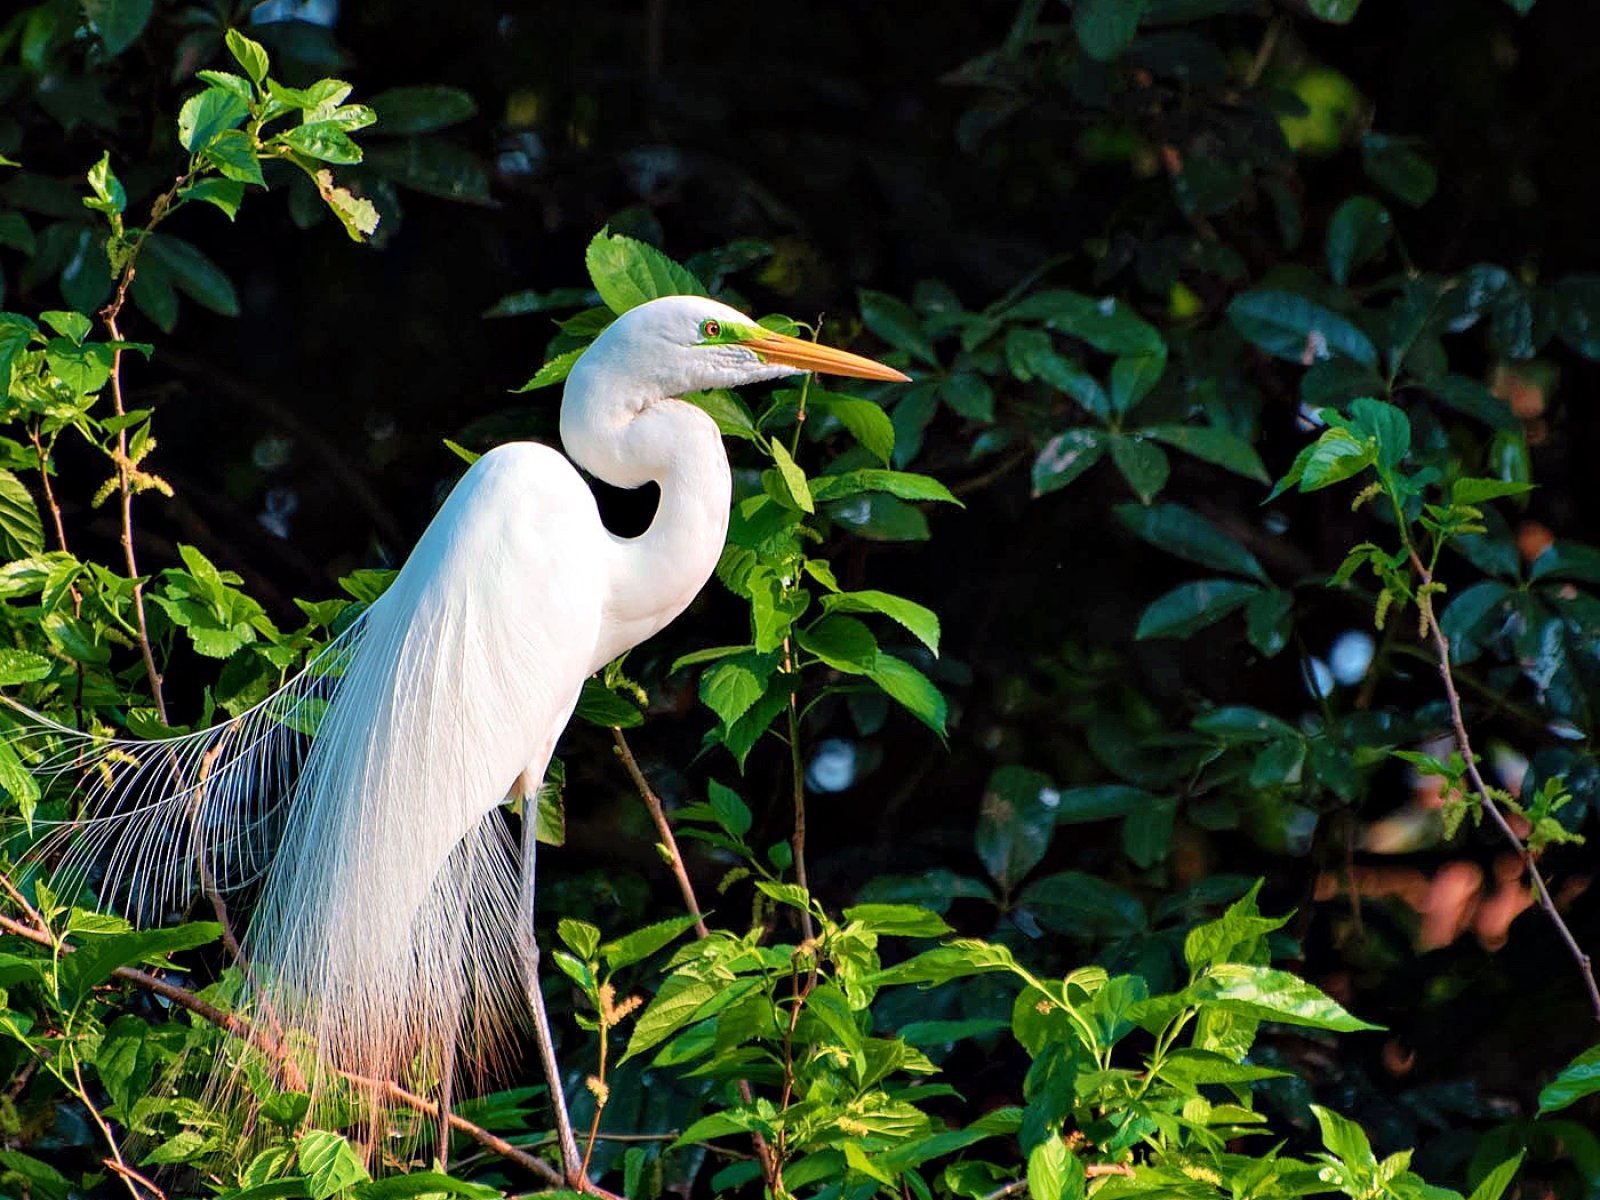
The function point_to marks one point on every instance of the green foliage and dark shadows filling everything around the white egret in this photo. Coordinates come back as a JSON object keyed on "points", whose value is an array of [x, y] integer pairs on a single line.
{"points": [[1223, 372]]}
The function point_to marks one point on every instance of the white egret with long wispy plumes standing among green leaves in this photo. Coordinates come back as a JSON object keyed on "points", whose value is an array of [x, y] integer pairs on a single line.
{"points": [[394, 922]]}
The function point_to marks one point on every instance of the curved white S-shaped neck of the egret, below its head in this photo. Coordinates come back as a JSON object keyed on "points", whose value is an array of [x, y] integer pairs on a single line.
{"points": [[668, 442]]}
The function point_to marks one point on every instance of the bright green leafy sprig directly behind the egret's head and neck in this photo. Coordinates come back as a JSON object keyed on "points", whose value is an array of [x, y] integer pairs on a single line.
{"points": [[804, 625]]}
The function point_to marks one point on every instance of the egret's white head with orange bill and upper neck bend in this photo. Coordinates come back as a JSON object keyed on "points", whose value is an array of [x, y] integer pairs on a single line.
{"points": [[670, 348]]}
